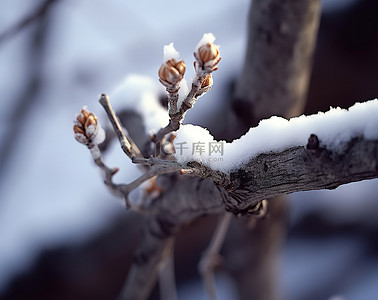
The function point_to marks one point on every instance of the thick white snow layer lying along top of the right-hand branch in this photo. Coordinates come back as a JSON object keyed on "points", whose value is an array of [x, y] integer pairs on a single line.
{"points": [[333, 128]]}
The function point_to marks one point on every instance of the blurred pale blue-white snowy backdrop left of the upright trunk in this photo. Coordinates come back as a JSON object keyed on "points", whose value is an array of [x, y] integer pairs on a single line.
{"points": [[50, 192]]}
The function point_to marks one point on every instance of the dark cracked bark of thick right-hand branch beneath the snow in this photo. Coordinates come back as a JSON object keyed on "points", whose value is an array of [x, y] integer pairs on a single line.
{"points": [[301, 169]]}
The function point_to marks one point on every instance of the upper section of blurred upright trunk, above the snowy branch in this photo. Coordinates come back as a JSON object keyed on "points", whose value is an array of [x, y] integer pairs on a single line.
{"points": [[281, 40]]}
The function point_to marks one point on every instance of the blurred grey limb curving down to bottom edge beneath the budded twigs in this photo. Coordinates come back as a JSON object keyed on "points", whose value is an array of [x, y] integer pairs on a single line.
{"points": [[181, 203]]}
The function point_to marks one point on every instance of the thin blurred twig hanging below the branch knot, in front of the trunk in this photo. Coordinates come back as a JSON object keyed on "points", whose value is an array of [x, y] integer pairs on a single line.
{"points": [[211, 257]]}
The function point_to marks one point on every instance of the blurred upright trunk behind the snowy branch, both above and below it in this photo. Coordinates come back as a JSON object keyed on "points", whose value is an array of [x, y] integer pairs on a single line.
{"points": [[274, 81]]}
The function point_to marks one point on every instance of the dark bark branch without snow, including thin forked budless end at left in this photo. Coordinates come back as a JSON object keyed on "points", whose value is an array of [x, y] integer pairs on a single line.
{"points": [[271, 174]]}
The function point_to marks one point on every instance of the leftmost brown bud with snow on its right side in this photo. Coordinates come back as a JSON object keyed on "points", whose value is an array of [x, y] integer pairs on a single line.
{"points": [[87, 129]]}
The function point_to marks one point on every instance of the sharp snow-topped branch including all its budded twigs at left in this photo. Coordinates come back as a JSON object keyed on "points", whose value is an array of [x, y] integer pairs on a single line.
{"points": [[278, 156]]}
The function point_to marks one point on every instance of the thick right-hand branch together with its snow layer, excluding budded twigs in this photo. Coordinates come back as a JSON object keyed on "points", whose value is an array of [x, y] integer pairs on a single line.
{"points": [[282, 156]]}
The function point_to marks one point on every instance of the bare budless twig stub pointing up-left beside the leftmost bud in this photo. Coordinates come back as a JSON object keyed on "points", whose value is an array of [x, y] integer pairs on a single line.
{"points": [[127, 144]]}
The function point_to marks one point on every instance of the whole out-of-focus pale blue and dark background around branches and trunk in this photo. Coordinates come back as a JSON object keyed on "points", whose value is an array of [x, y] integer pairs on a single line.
{"points": [[63, 236]]}
